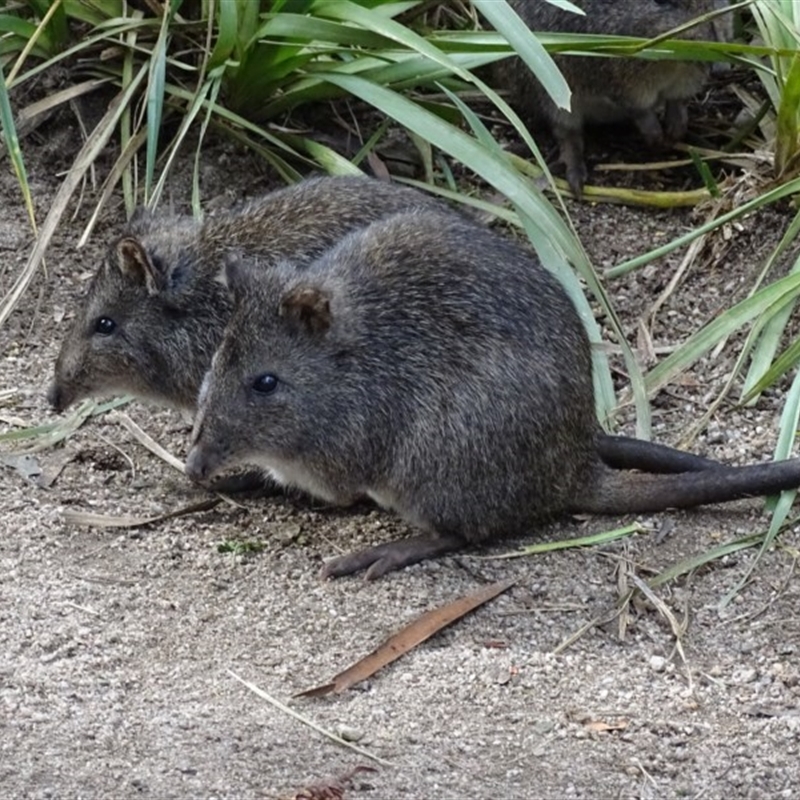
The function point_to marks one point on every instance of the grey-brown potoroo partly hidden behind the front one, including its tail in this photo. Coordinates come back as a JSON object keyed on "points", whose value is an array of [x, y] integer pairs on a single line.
{"points": [[158, 288]]}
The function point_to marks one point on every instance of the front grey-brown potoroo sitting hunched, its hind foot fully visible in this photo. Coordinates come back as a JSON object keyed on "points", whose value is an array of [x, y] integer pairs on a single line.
{"points": [[438, 369]]}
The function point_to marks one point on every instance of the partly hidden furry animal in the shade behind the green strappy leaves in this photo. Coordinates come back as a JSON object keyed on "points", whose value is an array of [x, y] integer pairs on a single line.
{"points": [[608, 90]]}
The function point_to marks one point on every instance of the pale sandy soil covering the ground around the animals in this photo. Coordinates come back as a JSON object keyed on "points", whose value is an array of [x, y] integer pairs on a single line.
{"points": [[116, 644]]}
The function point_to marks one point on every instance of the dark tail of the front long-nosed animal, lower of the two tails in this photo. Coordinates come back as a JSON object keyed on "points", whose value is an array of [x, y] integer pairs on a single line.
{"points": [[615, 492]]}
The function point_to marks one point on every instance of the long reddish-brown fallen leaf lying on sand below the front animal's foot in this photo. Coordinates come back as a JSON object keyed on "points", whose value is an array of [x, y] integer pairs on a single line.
{"points": [[415, 633]]}
